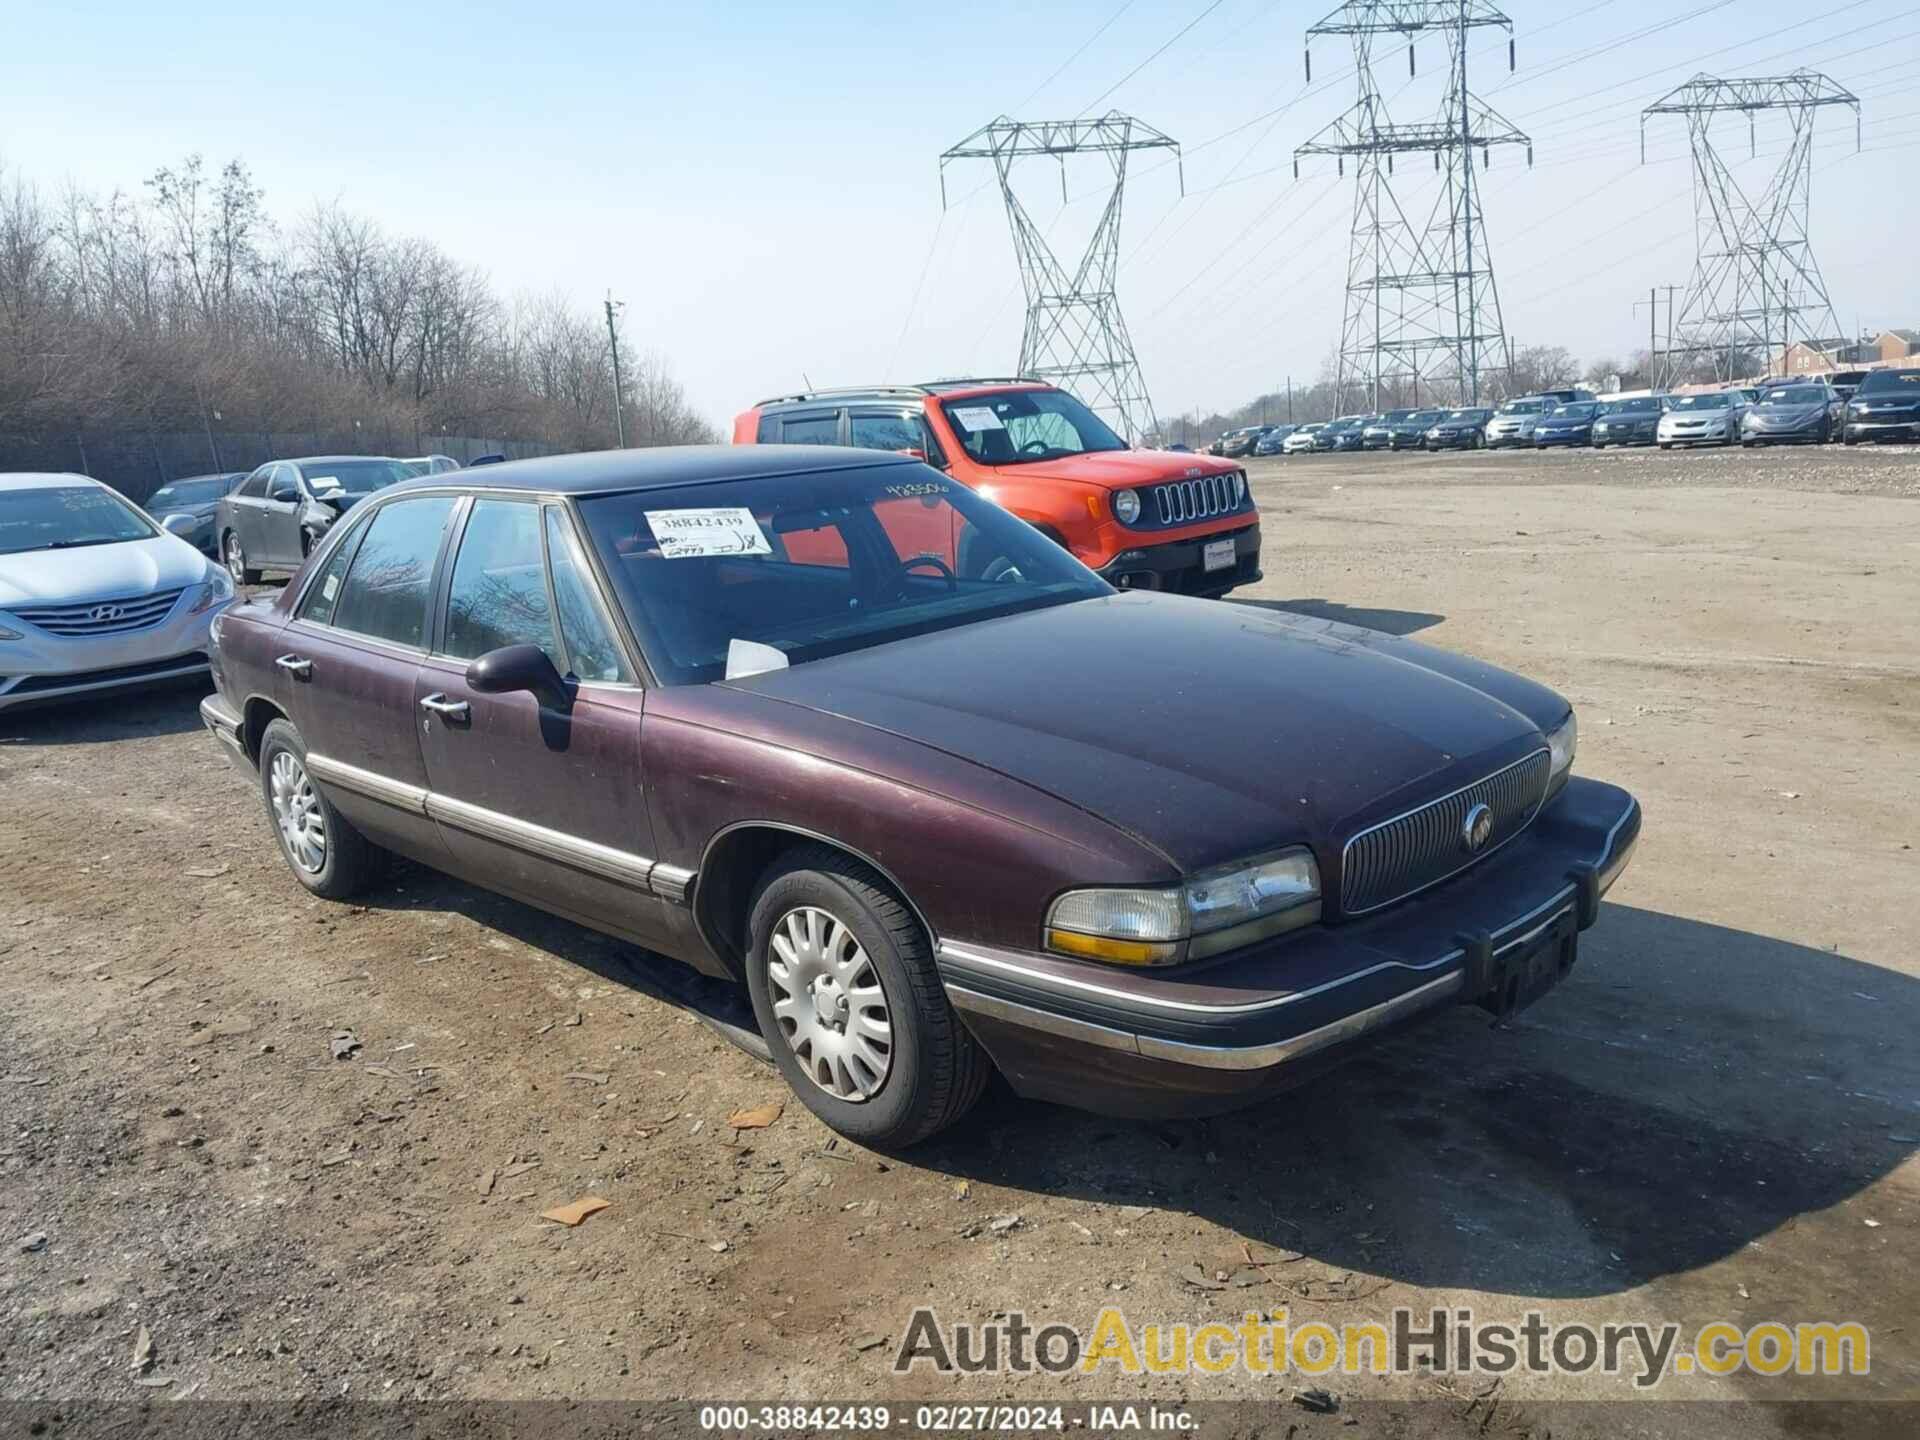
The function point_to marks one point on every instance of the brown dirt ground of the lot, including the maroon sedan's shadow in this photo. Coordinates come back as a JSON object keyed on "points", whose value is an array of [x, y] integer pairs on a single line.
{"points": [[1714, 1118]]}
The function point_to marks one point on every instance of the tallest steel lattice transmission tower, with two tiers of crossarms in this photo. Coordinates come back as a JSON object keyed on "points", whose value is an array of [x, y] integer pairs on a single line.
{"points": [[1422, 304]]}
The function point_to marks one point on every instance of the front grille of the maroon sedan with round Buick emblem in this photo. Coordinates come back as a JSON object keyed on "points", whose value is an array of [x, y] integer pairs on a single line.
{"points": [[1424, 848]]}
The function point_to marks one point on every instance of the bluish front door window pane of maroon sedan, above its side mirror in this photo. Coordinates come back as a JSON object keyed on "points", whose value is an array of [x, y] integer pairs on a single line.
{"points": [[500, 585]]}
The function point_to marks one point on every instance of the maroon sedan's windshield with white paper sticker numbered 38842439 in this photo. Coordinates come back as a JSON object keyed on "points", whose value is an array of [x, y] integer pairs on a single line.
{"points": [[802, 567]]}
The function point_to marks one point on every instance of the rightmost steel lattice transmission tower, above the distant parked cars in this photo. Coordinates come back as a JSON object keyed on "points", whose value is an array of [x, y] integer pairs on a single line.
{"points": [[1756, 283]]}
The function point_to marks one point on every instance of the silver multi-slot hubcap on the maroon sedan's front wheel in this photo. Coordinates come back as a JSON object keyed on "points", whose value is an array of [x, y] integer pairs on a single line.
{"points": [[830, 1005]]}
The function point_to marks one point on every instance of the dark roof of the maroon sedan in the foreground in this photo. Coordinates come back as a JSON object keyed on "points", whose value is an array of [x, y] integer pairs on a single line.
{"points": [[612, 471]]}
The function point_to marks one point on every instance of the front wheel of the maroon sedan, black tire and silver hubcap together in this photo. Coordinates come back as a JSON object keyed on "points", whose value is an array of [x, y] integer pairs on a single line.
{"points": [[852, 1005]]}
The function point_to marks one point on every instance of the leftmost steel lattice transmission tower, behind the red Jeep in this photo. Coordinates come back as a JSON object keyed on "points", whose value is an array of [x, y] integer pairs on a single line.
{"points": [[1074, 333]]}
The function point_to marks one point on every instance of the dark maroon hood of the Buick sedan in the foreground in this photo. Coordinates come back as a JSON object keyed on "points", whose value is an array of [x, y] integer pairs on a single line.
{"points": [[1203, 729]]}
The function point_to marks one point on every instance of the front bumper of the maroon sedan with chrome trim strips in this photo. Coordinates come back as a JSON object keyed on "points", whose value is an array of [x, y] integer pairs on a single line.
{"points": [[1216, 1038]]}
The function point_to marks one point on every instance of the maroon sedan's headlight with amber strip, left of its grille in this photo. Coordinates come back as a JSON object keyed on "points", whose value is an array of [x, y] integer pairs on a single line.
{"points": [[1212, 913]]}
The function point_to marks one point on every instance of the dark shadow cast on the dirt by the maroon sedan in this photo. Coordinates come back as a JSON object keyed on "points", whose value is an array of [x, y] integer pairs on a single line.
{"points": [[1689, 1092]]}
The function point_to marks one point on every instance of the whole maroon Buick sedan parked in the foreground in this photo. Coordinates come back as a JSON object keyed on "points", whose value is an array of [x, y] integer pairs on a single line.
{"points": [[828, 725]]}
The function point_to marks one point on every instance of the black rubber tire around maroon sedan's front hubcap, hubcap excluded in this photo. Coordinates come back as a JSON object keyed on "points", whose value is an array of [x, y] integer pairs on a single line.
{"points": [[936, 1068]]}
